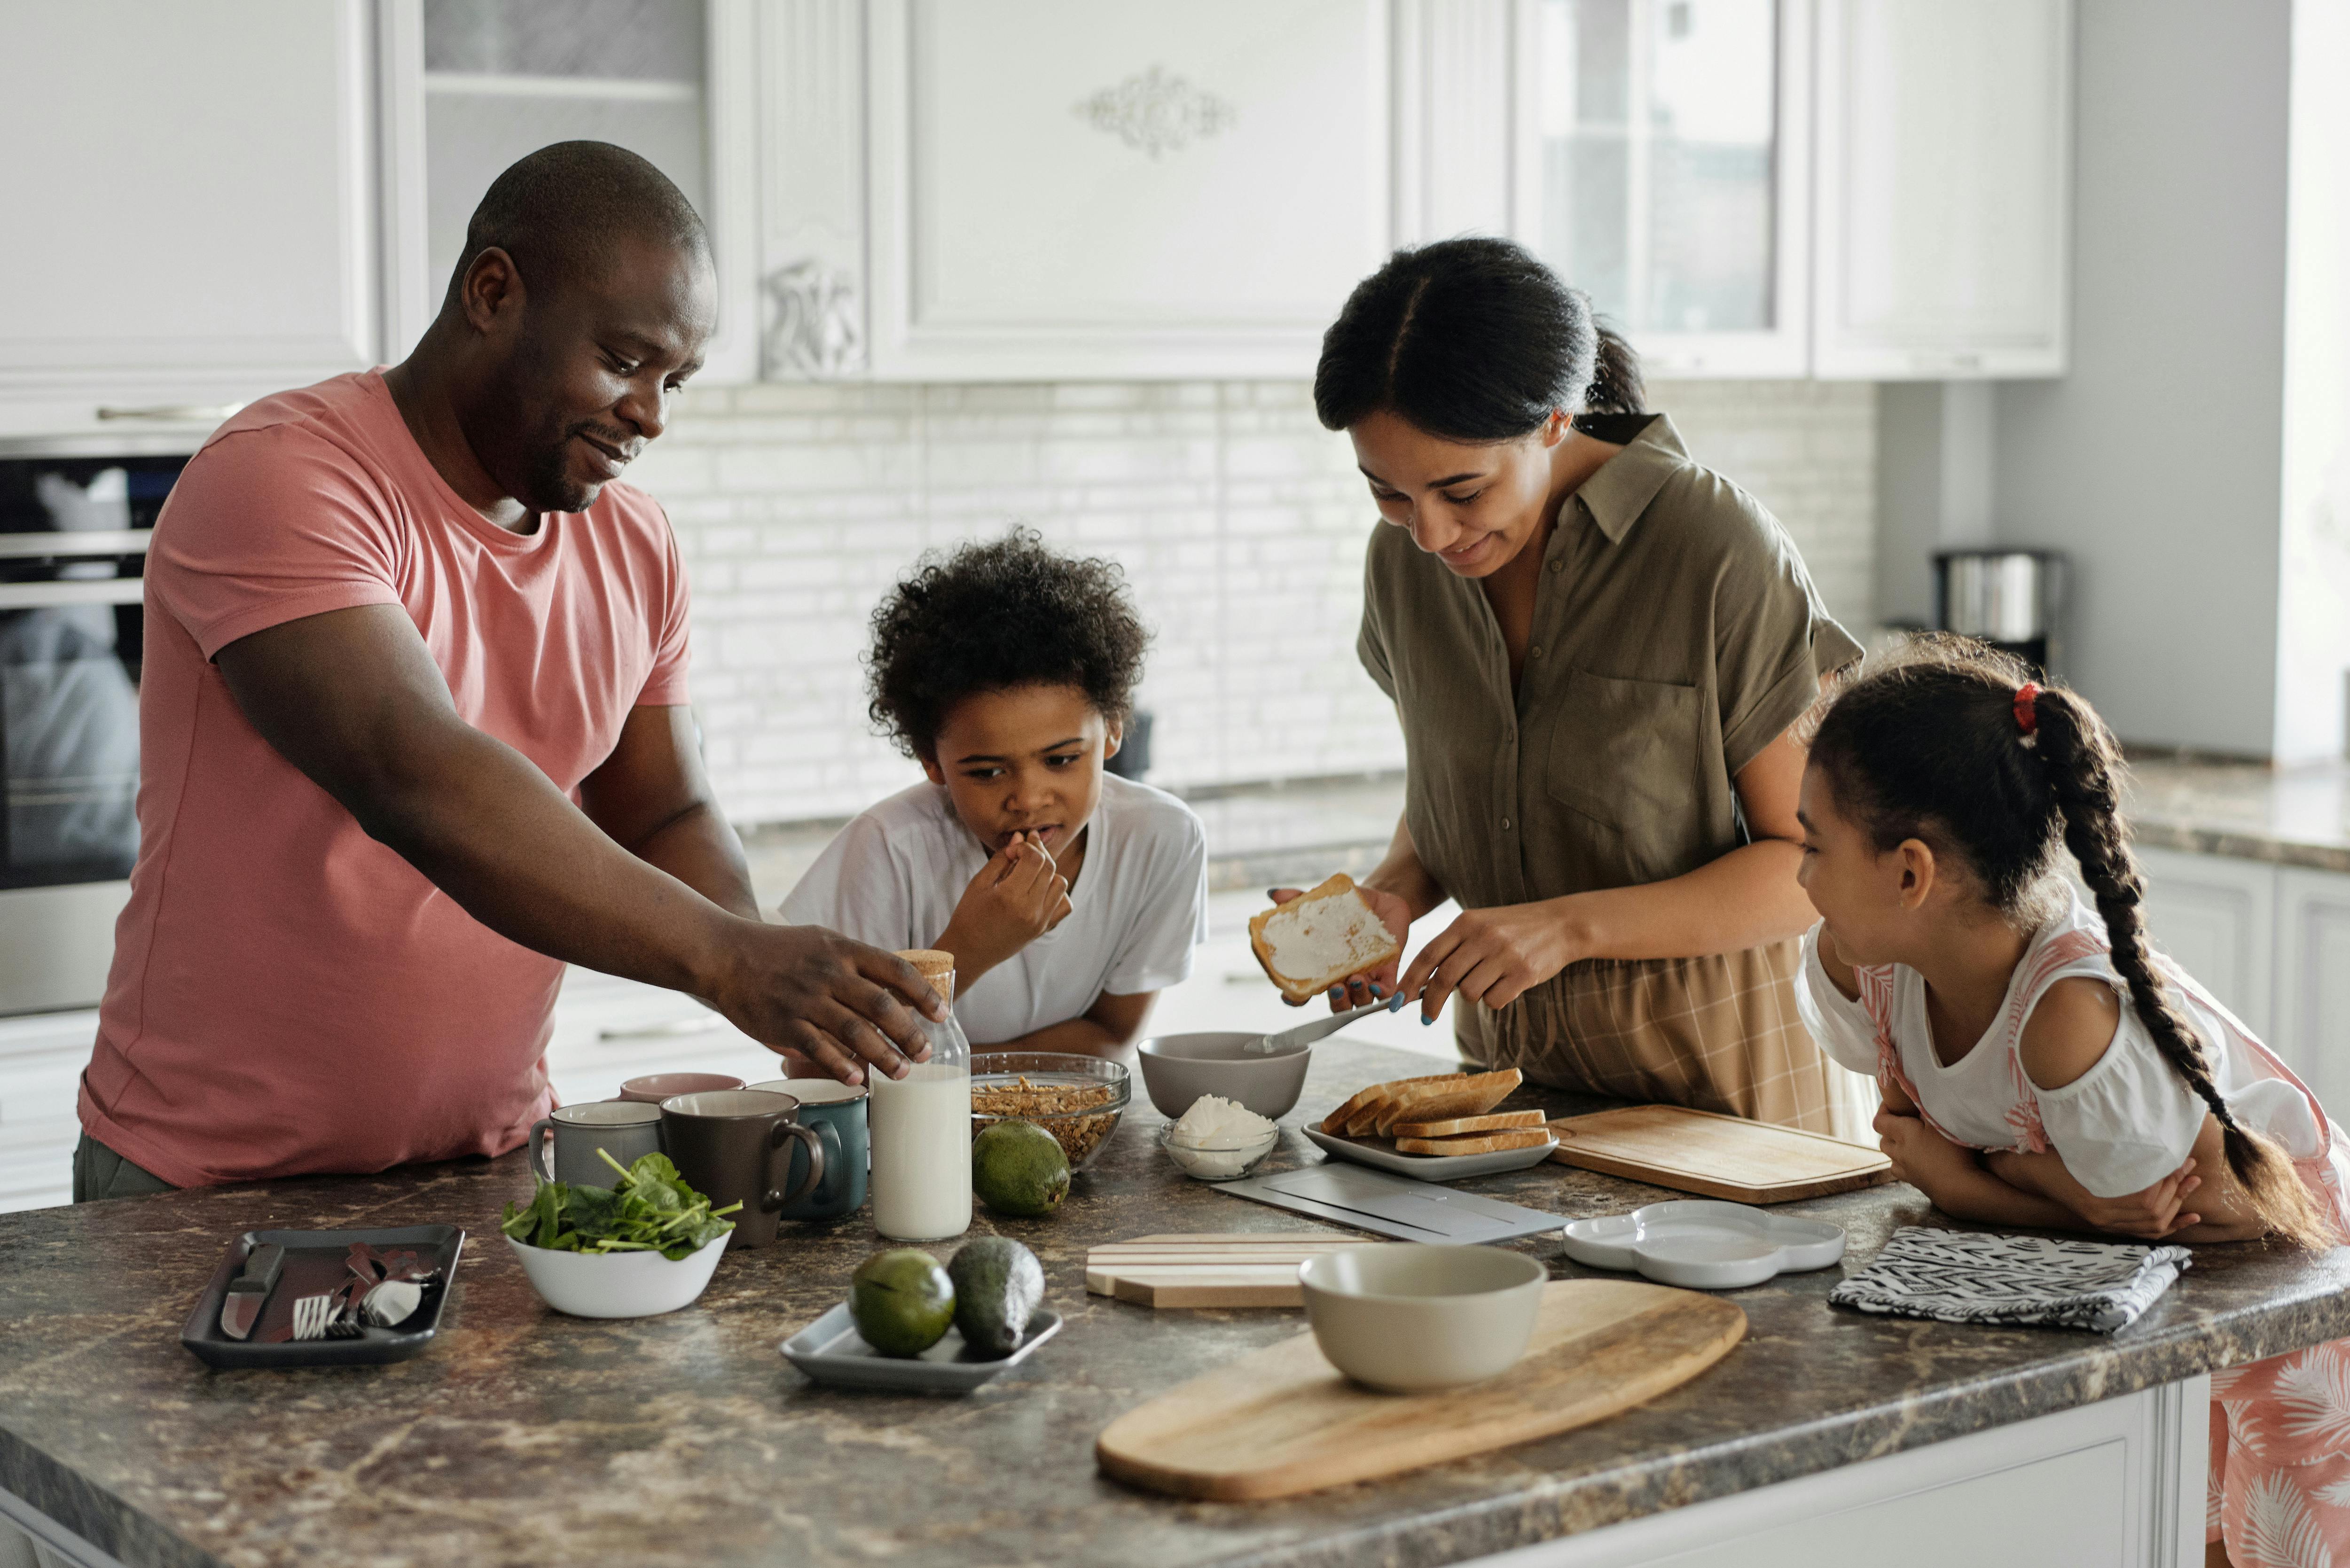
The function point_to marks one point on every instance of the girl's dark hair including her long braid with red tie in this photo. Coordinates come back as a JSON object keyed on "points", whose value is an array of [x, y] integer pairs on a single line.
{"points": [[1931, 746]]}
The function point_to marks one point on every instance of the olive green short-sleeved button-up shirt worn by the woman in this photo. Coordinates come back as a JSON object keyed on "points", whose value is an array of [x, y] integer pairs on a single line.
{"points": [[1677, 636]]}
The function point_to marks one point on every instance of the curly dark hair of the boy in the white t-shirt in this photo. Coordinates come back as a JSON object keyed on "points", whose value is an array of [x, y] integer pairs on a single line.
{"points": [[995, 617]]}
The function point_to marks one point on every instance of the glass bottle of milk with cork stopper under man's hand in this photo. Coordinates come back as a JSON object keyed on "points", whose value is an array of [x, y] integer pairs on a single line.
{"points": [[922, 1127]]}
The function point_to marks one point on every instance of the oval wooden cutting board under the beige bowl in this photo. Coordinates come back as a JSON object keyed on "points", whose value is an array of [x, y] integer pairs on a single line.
{"points": [[1284, 1421]]}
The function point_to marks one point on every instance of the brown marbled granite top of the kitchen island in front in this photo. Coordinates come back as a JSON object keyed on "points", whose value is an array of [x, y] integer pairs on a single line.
{"points": [[528, 1438]]}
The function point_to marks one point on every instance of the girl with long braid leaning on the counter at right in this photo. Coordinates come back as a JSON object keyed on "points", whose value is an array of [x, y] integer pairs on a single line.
{"points": [[2041, 1064]]}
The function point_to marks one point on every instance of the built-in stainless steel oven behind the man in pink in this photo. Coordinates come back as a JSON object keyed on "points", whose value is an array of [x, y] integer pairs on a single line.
{"points": [[74, 537]]}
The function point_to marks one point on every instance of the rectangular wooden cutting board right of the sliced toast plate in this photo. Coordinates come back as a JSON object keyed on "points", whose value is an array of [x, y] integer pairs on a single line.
{"points": [[1719, 1158]]}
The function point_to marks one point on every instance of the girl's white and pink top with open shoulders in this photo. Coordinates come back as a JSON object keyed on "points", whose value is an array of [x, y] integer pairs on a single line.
{"points": [[2123, 1125]]}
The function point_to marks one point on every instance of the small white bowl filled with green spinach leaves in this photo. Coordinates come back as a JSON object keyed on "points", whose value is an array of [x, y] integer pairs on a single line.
{"points": [[643, 1247]]}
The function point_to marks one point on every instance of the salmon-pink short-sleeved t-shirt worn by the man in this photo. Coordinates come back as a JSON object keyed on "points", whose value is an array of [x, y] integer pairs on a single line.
{"points": [[290, 996]]}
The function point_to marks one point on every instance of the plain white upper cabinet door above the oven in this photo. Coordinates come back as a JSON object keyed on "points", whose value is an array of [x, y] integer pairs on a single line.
{"points": [[192, 210]]}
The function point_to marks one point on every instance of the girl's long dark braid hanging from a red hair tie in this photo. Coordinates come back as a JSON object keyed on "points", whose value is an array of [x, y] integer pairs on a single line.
{"points": [[2081, 763]]}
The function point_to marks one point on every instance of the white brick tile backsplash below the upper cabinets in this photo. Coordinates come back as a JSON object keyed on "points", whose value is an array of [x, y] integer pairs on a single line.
{"points": [[1235, 514]]}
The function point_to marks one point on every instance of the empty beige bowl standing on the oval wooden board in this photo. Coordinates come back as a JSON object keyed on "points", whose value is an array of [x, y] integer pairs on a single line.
{"points": [[1409, 1318]]}
